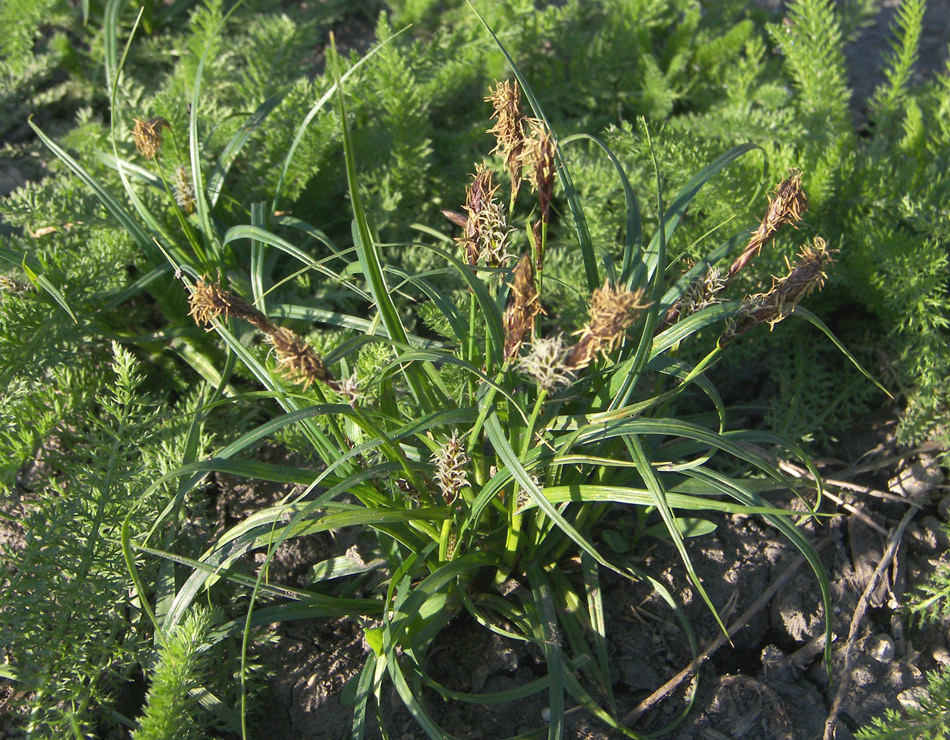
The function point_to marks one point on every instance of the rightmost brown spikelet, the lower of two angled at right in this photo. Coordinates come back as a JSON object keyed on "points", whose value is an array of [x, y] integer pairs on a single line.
{"points": [[807, 275]]}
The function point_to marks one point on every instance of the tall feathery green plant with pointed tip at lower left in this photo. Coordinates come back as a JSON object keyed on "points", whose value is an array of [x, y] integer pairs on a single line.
{"points": [[66, 625]]}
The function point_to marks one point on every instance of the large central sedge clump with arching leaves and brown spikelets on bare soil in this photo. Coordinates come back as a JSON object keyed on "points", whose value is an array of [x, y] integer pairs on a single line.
{"points": [[486, 461]]}
